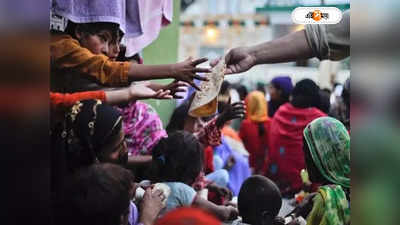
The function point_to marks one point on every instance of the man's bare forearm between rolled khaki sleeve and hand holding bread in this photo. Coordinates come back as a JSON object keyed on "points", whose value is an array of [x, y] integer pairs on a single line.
{"points": [[288, 48]]}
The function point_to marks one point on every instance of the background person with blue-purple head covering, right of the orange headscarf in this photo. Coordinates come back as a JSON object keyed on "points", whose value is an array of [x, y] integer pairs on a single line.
{"points": [[279, 91]]}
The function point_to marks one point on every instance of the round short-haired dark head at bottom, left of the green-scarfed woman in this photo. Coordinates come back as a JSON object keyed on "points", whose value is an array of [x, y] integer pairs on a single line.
{"points": [[259, 196]]}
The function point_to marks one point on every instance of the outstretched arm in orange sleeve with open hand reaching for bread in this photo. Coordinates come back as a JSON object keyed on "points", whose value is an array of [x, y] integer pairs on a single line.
{"points": [[67, 53]]}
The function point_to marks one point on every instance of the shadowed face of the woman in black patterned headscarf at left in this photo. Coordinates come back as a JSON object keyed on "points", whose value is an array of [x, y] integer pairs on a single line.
{"points": [[116, 151]]}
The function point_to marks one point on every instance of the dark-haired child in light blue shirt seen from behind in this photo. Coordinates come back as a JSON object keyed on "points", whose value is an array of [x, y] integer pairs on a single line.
{"points": [[177, 162]]}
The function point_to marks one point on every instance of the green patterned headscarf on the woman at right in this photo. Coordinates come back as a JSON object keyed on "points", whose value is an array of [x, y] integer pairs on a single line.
{"points": [[329, 144]]}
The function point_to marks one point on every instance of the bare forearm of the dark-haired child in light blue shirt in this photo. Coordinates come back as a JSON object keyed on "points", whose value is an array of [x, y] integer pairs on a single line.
{"points": [[224, 213]]}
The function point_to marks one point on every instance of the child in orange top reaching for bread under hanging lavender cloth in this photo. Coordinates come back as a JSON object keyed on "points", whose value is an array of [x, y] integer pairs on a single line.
{"points": [[82, 51]]}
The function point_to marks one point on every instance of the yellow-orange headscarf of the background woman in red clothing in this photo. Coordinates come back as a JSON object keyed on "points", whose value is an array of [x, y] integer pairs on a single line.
{"points": [[256, 107]]}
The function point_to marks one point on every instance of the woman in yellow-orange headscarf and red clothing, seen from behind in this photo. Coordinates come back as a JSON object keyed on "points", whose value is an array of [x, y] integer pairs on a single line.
{"points": [[254, 129]]}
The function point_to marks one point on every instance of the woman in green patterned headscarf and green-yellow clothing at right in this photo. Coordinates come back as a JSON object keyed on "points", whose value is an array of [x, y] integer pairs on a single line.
{"points": [[327, 154]]}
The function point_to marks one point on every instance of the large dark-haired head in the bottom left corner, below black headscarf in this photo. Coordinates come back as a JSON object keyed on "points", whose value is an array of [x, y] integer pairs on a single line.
{"points": [[99, 194]]}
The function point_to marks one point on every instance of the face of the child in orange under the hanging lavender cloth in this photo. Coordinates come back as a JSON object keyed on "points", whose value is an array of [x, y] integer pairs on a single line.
{"points": [[96, 43]]}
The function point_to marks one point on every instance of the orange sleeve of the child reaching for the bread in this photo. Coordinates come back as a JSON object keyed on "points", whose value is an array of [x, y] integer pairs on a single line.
{"points": [[67, 53]]}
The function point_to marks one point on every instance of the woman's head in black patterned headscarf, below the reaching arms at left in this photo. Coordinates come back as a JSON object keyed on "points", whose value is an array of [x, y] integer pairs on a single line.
{"points": [[91, 133]]}
